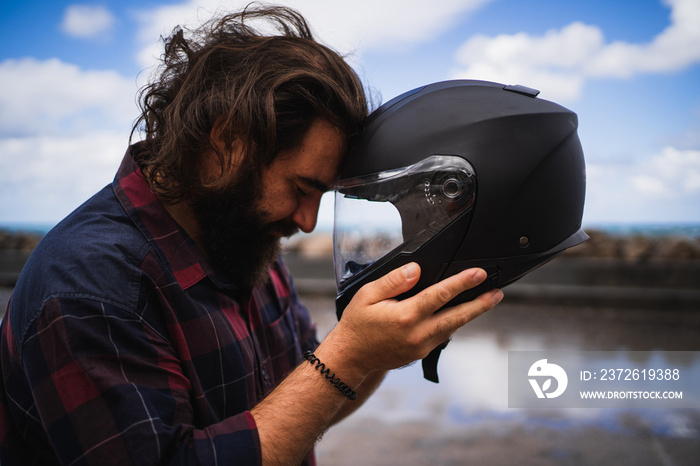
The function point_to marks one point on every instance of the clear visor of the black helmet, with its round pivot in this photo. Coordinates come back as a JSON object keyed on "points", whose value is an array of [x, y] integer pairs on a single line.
{"points": [[384, 214]]}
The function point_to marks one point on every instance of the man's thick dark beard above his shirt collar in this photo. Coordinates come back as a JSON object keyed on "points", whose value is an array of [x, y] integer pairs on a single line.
{"points": [[238, 241]]}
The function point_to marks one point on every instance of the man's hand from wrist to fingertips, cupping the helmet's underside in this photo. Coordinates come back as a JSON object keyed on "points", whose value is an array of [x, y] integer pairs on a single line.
{"points": [[377, 332]]}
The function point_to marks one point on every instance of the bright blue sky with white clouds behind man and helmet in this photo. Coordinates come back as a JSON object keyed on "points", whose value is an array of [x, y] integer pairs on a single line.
{"points": [[69, 73]]}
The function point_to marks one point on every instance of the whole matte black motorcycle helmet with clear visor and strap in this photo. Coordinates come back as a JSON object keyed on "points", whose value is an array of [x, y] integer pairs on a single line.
{"points": [[454, 175]]}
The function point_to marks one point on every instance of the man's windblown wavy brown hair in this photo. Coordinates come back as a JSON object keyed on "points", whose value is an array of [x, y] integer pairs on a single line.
{"points": [[262, 91]]}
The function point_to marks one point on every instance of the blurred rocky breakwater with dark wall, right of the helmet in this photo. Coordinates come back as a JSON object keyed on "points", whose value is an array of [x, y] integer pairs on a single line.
{"points": [[622, 271]]}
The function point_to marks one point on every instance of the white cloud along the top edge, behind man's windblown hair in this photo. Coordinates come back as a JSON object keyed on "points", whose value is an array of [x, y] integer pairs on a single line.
{"points": [[349, 27]]}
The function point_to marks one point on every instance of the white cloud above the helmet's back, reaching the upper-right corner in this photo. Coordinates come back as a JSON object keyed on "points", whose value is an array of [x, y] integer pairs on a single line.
{"points": [[561, 61]]}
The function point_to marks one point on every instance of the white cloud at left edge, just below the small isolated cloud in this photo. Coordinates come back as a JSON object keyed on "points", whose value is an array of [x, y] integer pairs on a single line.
{"points": [[55, 97]]}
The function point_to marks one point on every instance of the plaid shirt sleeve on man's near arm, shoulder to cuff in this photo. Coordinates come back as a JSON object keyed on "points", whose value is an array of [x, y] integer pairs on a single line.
{"points": [[108, 389]]}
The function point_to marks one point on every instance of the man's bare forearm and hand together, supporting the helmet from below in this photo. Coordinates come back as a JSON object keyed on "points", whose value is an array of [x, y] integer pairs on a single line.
{"points": [[376, 333]]}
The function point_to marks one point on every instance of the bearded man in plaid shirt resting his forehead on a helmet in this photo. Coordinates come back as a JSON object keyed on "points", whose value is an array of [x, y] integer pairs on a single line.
{"points": [[156, 324]]}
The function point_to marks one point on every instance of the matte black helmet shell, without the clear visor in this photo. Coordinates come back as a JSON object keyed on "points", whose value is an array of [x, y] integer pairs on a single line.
{"points": [[529, 169]]}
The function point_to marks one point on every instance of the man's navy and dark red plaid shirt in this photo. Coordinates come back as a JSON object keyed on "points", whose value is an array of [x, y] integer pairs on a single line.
{"points": [[122, 345]]}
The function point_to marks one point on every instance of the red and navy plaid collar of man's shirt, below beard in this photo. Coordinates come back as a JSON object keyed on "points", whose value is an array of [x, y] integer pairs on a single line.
{"points": [[187, 261]]}
